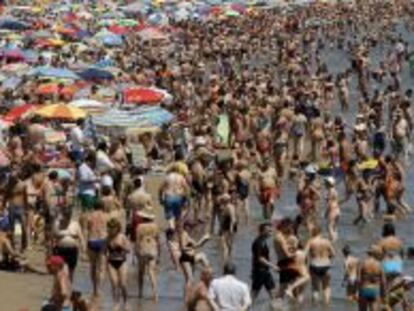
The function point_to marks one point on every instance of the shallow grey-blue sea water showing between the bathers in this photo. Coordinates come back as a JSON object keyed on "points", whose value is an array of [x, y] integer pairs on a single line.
{"points": [[171, 282]]}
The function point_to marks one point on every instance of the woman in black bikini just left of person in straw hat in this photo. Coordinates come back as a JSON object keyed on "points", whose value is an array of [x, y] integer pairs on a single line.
{"points": [[116, 252]]}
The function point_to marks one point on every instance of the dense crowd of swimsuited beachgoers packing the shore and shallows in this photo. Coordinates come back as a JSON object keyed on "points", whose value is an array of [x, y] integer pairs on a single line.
{"points": [[285, 105]]}
